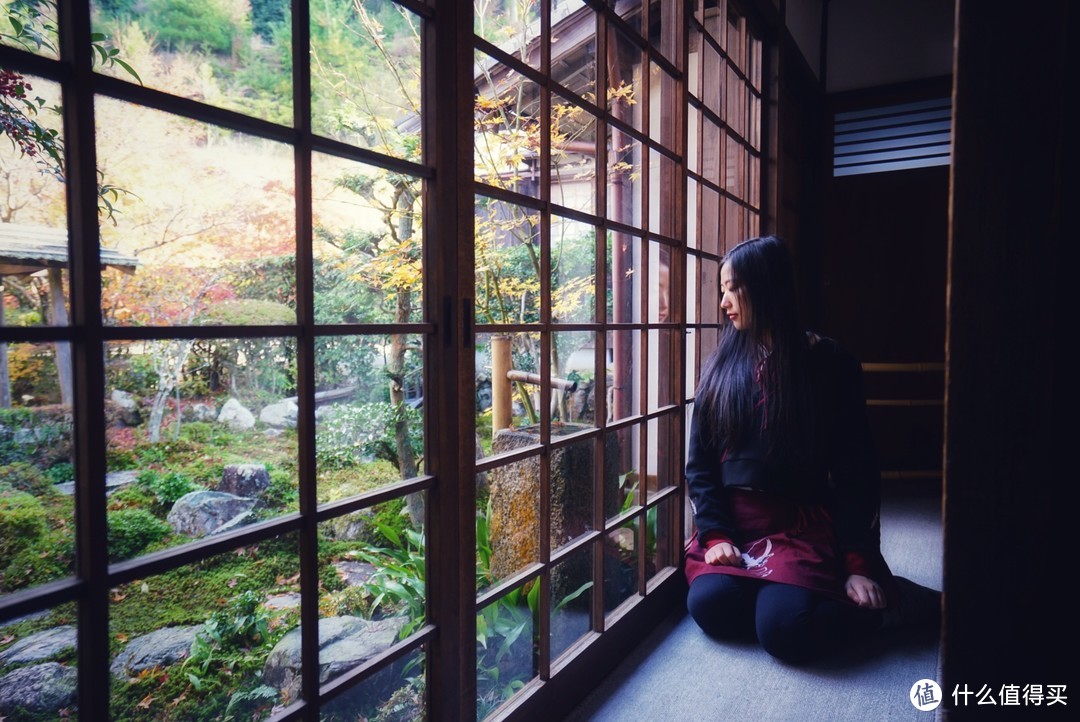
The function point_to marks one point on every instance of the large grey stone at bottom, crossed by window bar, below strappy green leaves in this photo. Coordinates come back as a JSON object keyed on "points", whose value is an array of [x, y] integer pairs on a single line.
{"points": [[345, 643]]}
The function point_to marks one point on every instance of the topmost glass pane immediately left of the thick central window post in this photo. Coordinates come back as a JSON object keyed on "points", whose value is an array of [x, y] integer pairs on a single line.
{"points": [[367, 76]]}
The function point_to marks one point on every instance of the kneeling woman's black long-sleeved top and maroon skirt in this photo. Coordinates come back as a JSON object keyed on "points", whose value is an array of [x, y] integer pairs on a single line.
{"points": [[811, 524]]}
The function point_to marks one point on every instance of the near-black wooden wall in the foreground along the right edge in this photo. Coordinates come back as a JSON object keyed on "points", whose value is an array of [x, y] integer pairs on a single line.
{"points": [[1010, 555]]}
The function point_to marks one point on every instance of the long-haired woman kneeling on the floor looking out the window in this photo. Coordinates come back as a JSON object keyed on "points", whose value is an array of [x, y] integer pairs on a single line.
{"points": [[785, 482]]}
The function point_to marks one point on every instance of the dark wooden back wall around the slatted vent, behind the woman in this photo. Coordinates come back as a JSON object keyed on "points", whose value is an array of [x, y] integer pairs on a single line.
{"points": [[883, 291]]}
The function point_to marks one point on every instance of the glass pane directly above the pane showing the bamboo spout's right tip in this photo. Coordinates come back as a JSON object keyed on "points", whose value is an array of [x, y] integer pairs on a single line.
{"points": [[573, 271]]}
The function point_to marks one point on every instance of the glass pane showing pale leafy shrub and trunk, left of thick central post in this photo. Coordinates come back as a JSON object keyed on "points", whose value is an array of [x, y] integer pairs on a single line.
{"points": [[369, 413]]}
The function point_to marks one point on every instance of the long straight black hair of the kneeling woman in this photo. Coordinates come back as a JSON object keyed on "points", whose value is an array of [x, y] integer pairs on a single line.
{"points": [[768, 360]]}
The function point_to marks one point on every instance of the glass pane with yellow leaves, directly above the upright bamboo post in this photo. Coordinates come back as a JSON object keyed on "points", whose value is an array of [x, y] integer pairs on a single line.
{"points": [[508, 263]]}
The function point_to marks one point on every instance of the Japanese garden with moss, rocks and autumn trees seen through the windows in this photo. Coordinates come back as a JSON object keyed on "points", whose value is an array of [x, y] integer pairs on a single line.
{"points": [[201, 433]]}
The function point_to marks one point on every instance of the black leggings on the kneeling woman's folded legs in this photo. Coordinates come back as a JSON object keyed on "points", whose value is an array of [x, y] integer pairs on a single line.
{"points": [[792, 624]]}
